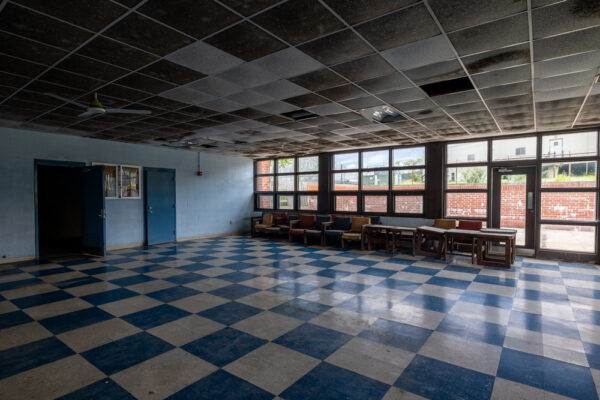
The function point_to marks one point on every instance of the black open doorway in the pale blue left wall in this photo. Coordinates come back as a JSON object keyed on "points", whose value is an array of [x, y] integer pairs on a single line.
{"points": [[59, 210]]}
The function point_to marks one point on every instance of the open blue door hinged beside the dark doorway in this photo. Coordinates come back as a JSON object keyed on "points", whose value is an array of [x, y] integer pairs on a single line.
{"points": [[93, 211]]}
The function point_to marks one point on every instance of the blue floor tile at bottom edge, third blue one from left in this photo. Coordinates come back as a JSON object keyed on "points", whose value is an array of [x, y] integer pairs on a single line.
{"points": [[327, 381]]}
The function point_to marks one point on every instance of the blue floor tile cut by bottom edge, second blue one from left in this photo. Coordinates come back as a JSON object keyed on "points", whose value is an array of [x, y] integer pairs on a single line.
{"points": [[223, 386]]}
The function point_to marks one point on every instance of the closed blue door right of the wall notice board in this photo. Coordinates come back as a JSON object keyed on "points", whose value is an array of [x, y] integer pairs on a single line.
{"points": [[160, 205]]}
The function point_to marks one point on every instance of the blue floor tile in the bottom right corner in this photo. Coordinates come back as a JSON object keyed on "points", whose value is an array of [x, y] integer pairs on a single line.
{"points": [[552, 375]]}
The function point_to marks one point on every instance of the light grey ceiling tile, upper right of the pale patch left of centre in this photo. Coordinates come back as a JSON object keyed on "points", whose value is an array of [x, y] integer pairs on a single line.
{"points": [[288, 62]]}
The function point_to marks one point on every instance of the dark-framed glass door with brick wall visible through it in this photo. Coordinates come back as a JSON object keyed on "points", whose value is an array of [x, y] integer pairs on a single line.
{"points": [[513, 203]]}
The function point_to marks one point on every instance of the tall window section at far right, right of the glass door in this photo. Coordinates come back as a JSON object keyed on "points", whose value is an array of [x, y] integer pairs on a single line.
{"points": [[568, 192]]}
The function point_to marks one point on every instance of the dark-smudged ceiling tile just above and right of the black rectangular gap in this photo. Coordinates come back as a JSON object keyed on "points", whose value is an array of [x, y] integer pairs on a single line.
{"points": [[498, 59]]}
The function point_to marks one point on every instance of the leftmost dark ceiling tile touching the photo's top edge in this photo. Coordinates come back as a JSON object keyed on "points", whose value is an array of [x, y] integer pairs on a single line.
{"points": [[78, 11]]}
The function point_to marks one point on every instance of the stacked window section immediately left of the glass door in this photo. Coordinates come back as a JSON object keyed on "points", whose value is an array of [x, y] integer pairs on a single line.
{"points": [[466, 185]]}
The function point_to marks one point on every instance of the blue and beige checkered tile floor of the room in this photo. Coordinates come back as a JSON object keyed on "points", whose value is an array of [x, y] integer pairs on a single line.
{"points": [[243, 318]]}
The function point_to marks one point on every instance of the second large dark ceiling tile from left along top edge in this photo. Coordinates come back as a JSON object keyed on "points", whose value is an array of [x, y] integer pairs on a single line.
{"points": [[196, 18]]}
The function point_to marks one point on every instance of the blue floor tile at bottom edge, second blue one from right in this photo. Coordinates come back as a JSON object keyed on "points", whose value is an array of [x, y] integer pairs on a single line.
{"points": [[436, 379]]}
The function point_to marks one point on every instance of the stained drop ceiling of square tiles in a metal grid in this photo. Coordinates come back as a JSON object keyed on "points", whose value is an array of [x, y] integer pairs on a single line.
{"points": [[261, 77]]}
